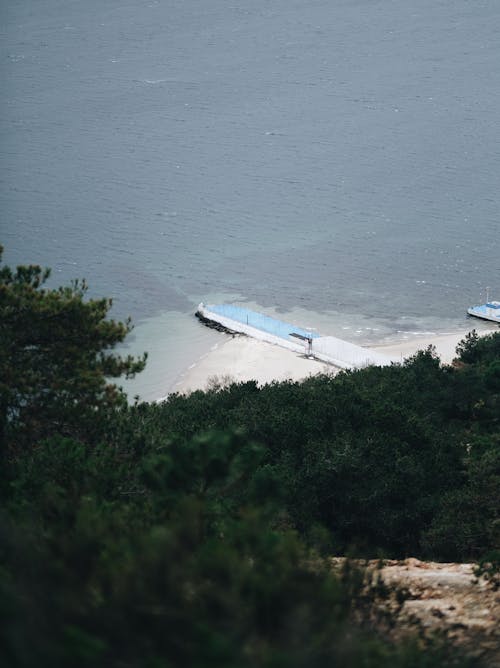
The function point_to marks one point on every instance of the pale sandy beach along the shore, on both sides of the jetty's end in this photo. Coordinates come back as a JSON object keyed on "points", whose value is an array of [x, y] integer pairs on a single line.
{"points": [[241, 358]]}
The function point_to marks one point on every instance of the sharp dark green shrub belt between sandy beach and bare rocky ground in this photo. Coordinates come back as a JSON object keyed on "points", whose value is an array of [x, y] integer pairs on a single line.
{"points": [[374, 461]]}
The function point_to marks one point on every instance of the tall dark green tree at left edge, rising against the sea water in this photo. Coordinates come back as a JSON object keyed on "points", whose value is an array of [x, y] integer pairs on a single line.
{"points": [[55, 359]]}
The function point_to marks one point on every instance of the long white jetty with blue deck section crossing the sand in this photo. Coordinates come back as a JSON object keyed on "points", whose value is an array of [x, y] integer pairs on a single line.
{"points": [[329, 349]]}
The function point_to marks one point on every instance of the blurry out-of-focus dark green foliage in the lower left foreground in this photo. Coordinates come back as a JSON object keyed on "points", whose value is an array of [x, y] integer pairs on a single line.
{"points": [[97, 576]]}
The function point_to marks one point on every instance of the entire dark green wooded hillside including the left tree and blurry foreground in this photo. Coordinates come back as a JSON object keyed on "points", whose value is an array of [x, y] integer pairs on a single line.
{"points": [[196, 532]]}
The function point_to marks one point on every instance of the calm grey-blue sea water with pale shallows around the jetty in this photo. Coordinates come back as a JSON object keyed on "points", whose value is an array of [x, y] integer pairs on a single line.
{"points": [[331, 162]]}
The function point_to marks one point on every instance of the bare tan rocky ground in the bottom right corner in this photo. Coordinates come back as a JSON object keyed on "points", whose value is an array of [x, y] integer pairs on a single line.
{"points": [[436, 599]]}
